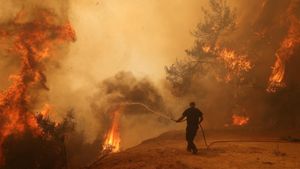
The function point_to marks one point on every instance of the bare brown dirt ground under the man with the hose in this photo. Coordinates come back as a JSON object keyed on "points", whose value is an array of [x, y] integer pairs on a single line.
{"points": [[168, 151]]}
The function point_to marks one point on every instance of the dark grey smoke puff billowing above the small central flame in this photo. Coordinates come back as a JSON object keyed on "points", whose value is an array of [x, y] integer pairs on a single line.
{"points": [[125, 88]]}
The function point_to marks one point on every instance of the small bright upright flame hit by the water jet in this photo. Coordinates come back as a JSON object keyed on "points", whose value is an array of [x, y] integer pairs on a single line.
{"points": [[112, 138]]}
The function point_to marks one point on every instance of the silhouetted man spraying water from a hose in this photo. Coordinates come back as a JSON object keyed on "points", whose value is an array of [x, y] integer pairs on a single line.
{"points": [[193, 118]]}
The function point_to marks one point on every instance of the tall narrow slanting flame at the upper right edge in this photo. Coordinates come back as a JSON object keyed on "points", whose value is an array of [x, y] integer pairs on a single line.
{"points": [[285, 51]]}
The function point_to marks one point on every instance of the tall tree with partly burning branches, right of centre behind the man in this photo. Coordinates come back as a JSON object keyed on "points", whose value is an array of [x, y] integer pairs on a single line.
{"points": [[209, 58]]}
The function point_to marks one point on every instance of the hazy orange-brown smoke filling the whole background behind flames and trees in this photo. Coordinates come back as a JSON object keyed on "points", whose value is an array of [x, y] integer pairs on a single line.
{"points": [[92, 75]]}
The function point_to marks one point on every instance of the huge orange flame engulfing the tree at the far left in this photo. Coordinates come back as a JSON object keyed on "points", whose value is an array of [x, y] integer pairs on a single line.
{"points": [[32, 40]]}
